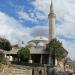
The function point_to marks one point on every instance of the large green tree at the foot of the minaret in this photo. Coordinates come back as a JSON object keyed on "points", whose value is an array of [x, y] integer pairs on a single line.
{"points": [[56, 50]]}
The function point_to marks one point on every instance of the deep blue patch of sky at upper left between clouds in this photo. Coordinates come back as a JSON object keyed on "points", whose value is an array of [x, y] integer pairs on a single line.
{"points": [[12, 7]]}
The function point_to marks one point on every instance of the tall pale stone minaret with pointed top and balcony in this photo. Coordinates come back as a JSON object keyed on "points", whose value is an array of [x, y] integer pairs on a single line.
{"points": [[52, 17]]}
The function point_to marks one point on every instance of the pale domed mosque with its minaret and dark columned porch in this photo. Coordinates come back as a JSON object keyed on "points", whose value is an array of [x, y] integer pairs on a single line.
{"points": [[37, 46]]}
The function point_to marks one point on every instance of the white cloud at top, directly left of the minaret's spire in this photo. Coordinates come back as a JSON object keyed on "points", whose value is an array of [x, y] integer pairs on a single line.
{"points": [[42, 5]]}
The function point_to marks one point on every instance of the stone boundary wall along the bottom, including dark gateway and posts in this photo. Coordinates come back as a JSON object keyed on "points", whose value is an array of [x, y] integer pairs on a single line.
{"points": [[23, 70]]}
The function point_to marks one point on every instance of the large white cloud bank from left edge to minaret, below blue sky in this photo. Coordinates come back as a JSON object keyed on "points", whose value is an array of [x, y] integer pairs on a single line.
{"points": [[15, 32]]}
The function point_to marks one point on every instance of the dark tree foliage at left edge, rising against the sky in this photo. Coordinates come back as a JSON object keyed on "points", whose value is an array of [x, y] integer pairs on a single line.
{"points": [[5, 44]]}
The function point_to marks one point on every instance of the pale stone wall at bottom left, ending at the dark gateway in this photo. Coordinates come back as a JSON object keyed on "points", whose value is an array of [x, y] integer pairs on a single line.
{"points": [[16, 70]]}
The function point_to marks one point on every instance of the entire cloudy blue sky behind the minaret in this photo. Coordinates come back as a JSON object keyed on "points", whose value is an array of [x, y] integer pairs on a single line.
{"points": [[23, 20]]}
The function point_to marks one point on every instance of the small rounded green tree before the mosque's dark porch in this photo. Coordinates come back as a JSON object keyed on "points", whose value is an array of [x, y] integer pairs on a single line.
{"points": [[24, 54]]}
